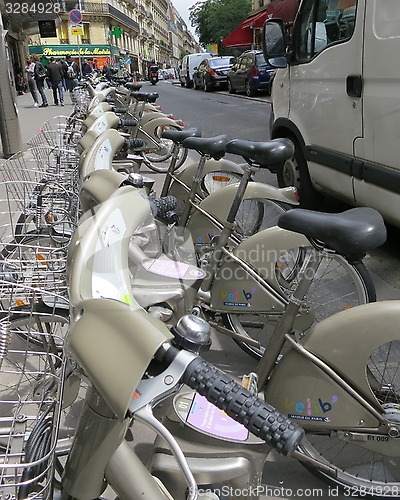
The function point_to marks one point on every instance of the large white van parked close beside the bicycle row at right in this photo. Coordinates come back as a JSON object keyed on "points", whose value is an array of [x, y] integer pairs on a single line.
{"points": [[336, 94]]}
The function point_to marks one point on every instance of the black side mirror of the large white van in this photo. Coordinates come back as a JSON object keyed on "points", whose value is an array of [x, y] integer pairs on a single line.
{"points": [[274, 44]]}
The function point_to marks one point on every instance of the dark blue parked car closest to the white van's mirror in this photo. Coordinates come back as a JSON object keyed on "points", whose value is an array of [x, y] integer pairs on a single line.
{"points": [[250, 73]]}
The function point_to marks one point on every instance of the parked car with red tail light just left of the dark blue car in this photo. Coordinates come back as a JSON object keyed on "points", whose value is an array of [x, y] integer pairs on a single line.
{"points": [[212, 73]]}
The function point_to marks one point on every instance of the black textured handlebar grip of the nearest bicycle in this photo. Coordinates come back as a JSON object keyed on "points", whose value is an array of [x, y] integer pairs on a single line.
{"points": [[260, 418]]}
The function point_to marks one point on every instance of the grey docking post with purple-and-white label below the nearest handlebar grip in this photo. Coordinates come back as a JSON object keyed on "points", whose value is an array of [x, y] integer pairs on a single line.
{"points": [[222, 455]]}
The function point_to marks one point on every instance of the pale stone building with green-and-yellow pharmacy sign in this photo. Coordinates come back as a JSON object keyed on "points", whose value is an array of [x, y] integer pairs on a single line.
{"points": [[128, 34]]}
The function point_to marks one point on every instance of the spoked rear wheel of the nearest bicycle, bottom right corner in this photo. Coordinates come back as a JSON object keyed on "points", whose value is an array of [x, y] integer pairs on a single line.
{"points": [[359, 470]]}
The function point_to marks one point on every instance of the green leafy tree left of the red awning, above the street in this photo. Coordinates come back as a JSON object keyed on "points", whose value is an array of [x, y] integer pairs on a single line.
{"points": [[215, 19]]}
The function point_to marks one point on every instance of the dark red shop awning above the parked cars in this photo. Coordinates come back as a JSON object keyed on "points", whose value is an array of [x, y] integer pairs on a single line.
{"points": [[243, 34]]}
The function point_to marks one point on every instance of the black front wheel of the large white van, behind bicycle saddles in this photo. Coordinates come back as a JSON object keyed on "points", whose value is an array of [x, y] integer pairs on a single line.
{"points": [[295, 173]]}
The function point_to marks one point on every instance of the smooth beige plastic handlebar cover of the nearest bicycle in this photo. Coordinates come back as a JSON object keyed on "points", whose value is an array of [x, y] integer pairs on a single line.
{"points": [[114, 345]]}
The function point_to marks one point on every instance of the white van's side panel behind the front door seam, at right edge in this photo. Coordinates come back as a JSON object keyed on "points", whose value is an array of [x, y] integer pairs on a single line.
{"points": [[378, 182]]}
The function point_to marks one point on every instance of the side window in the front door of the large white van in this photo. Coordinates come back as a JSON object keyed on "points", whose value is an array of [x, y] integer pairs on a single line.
{"points": [[321, 23]]}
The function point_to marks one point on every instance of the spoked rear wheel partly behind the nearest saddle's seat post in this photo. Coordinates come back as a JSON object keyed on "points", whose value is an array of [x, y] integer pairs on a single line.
{"points": [[337, 285]]}
